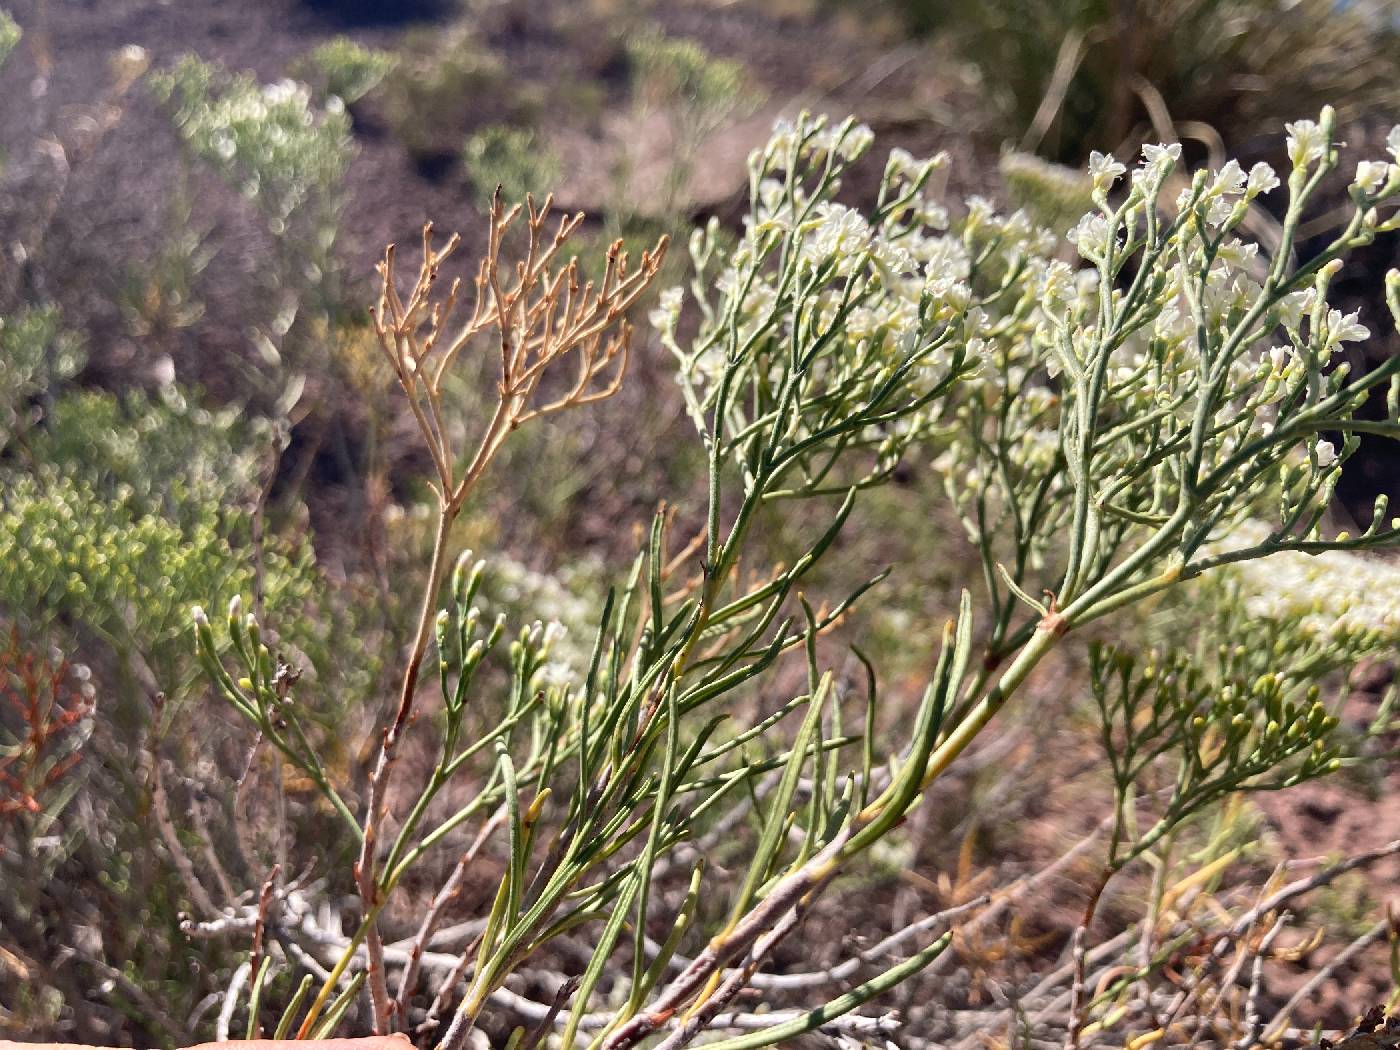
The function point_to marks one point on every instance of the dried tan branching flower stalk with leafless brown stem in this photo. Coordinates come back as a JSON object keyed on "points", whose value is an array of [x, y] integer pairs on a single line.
{"points": [[538, 314]]}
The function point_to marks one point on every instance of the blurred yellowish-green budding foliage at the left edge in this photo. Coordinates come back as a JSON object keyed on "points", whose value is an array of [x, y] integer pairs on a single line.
{"points": [[135, 507]]}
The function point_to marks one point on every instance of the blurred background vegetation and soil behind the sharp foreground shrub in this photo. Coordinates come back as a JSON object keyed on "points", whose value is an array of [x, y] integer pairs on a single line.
{"points": [[192, 199]]}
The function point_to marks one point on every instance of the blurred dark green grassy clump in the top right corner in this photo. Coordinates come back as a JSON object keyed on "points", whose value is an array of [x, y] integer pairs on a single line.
{"points": [[1241, 66]]}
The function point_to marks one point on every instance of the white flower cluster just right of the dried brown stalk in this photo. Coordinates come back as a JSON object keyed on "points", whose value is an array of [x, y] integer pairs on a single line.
{"points": [[834, 307]]}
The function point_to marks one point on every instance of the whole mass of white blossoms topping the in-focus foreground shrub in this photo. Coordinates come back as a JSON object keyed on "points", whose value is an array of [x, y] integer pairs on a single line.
{"points": [[1172, 303]]}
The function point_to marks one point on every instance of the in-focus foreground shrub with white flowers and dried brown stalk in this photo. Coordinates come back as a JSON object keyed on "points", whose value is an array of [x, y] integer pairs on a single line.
{"points": [[1150, 429]]}
